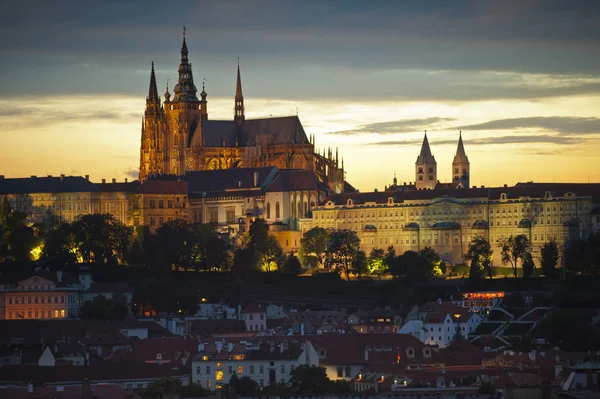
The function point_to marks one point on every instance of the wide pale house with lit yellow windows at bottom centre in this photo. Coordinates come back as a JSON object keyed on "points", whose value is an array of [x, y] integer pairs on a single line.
{"points": [[266, 362]]}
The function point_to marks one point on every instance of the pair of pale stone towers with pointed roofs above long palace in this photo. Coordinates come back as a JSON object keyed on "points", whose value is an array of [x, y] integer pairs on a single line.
{"points": [[426, 167]]}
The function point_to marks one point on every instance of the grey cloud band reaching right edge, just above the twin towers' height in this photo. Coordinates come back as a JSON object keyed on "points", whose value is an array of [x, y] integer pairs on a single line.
{"points": [[559, 124]]}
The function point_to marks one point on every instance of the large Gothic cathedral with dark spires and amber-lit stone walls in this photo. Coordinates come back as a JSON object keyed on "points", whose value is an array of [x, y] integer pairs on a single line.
{"points": [[178, 137]]}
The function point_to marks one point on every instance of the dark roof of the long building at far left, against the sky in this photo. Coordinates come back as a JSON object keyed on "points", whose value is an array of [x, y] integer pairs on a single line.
{"points": [[52, 184]]}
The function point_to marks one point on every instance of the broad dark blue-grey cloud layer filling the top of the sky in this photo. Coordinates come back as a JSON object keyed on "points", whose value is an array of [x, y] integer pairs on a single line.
{"points": [[300, 50]]}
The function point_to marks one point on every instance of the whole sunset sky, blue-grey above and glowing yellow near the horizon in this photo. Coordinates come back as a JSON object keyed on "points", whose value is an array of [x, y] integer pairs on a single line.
{"points": [[520, 79]]}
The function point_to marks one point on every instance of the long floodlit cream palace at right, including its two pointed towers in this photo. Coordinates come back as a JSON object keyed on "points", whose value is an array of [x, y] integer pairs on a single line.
{"points": [[447, 216]]}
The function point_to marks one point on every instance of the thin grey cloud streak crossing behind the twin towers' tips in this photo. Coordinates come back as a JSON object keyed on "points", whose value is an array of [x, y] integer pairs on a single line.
{"points": [[516, 139]]}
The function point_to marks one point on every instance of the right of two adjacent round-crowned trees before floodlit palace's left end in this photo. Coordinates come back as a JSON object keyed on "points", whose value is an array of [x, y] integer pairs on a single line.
{"points": [[342, 248]]}
